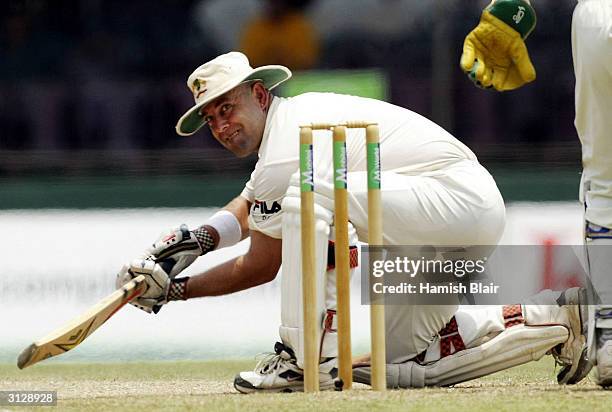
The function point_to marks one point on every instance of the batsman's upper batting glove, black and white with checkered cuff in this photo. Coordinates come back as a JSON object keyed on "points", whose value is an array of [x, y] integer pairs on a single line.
{"points": [[179, 248]]}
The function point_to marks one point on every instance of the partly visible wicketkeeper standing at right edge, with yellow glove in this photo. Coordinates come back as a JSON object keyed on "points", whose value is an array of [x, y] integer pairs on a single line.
{"points": [[495, 55]]}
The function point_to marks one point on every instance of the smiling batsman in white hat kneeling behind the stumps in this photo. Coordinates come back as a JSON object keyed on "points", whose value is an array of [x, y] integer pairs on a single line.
{"points": [[434, 192]]}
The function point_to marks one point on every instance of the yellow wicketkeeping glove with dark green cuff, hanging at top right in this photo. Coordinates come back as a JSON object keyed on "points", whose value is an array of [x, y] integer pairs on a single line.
{"points": [[494, 53]]}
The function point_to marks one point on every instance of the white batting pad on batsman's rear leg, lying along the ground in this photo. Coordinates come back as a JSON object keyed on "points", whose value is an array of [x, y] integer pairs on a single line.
{"points": [[490, 347]]}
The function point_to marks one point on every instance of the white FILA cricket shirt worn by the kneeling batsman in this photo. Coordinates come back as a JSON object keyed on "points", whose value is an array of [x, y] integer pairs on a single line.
{"points": [[409, 144]]}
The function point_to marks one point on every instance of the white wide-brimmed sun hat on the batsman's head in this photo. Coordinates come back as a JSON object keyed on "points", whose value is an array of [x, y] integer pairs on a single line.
{"points": [[219, 76]]}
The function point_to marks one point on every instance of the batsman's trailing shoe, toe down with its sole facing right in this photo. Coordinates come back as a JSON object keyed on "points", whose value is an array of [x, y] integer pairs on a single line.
{"points": [[572, 355]]}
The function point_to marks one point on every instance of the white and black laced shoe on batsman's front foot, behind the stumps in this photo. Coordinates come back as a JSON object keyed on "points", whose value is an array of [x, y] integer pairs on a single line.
{"points": [[279, 372]]}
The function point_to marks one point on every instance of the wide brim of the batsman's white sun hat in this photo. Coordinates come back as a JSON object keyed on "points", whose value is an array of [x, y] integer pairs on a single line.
{"points": [[271, 76]]}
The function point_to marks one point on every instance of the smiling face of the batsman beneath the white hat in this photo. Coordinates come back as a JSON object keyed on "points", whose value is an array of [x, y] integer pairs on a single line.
{"points": [[237, 118]]}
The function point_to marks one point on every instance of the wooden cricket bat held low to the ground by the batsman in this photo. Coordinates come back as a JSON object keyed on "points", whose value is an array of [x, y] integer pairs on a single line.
{"points": [[78, 329]]}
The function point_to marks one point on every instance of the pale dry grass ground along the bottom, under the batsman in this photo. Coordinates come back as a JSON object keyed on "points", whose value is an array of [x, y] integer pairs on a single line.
{"points": [[208, 386]]}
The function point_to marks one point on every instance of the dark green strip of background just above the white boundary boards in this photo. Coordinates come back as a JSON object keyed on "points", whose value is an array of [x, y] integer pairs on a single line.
{"points": [[527, 184]]}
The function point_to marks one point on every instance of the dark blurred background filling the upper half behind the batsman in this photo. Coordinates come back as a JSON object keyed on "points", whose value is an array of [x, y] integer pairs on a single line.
{"points": [[89, 95]]}
